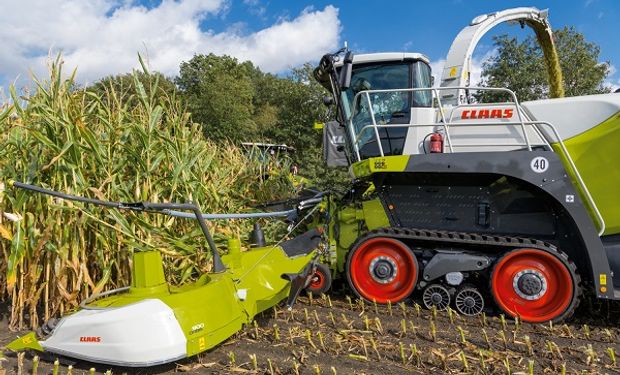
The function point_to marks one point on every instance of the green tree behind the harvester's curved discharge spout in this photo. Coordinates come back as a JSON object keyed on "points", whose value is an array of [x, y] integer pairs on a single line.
{"points": [[520, 67]]}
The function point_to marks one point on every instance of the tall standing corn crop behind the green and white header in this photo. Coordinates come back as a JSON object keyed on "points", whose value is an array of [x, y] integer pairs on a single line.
{"points": [[55, 253]]}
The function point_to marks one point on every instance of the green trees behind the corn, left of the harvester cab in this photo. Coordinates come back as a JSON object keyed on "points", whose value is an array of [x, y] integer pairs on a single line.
{"points": [[236, 101]]}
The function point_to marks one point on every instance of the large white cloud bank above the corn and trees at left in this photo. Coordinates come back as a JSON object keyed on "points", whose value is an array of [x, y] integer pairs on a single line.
{"points": [[103, 37]]}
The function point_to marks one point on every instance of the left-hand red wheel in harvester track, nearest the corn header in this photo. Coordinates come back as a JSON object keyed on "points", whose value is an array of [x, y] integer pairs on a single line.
{"points": [[383, 269]]}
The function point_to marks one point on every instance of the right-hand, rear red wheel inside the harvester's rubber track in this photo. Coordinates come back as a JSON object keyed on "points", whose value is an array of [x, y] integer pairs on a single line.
{"points": [[532, 284]]}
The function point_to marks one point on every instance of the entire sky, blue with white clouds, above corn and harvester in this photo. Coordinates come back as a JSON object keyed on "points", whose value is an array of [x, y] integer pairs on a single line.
{"points": [[102, 37]]}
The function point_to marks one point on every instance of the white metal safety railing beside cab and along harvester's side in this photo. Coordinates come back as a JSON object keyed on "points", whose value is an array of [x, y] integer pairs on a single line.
{"points": [[447, 122]]}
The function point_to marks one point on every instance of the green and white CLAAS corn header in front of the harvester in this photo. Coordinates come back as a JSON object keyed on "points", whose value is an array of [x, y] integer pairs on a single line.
{"points": [[151, 322]]}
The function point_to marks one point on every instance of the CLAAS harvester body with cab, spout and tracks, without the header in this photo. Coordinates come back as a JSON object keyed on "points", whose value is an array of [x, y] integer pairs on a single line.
{"points": [[453, 193]]}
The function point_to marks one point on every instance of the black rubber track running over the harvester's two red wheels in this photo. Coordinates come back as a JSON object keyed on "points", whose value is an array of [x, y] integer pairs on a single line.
{"points": [[509, 243]]}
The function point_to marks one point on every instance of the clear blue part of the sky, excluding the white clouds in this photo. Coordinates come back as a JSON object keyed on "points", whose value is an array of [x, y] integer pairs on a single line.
{"points": [[430, 26]]}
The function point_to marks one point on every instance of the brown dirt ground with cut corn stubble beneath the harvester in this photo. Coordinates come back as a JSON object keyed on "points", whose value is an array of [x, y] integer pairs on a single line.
{"points": [[342, 335]]}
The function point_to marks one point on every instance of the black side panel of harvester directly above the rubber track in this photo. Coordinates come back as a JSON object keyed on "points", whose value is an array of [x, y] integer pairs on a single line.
{"points": [[471, 203]]}
